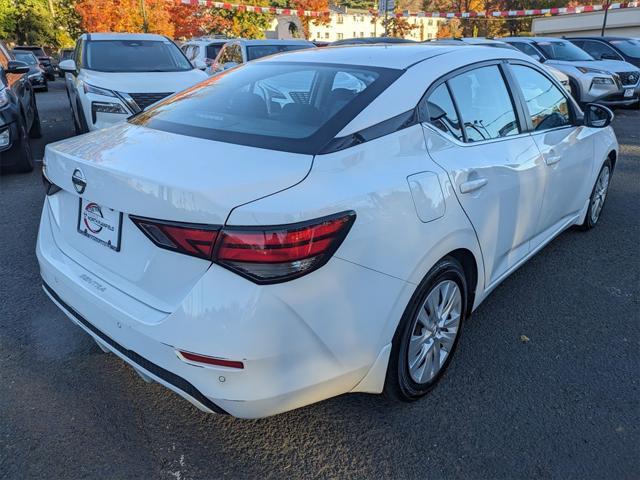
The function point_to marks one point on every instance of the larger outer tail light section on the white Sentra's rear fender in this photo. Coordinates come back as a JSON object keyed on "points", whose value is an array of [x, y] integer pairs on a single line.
{"points": [[278, 253]]}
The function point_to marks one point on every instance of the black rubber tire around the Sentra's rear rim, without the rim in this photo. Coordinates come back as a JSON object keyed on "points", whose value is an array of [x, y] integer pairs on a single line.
{"points": [[399, 383]]}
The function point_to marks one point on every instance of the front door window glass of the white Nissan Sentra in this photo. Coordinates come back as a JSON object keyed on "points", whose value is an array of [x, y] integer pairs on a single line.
{"points": [[548, 107]]}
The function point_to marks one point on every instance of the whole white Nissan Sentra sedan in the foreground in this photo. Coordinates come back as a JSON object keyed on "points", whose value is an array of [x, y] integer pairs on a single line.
{"points": [[256, 251]]}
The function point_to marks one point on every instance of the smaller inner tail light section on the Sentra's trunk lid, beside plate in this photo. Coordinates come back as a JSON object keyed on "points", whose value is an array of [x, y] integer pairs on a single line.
{"points": [[191, 239]]}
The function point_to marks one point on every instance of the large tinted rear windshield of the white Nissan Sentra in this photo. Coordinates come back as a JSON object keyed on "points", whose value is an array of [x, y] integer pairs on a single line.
{"points": [[296, 107]]}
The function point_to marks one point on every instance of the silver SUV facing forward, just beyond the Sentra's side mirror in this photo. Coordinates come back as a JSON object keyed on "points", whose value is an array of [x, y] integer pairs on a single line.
{"points": [[600, 81]]}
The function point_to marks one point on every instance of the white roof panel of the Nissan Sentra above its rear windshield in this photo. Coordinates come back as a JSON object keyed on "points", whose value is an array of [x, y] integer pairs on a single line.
{"points": [[398, 56]]}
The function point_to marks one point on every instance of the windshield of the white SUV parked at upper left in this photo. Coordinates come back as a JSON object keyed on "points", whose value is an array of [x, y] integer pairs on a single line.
{"points": [[135, 56]]}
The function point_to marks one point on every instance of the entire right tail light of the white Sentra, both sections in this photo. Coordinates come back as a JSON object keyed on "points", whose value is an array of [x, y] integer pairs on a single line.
{"points": [[262, 254]]}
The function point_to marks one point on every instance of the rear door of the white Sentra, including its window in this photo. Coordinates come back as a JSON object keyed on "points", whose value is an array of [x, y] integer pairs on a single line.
{"points": [[474, 131]]}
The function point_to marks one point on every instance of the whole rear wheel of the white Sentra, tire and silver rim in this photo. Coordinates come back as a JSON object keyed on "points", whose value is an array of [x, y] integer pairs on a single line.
{"points": [[408, 377]]}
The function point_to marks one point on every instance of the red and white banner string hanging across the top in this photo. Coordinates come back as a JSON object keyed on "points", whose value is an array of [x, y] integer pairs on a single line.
{"points": [[490, 13]]}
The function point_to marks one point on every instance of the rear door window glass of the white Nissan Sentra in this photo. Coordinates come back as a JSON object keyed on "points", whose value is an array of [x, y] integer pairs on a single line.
{"points": [[484, 104]]}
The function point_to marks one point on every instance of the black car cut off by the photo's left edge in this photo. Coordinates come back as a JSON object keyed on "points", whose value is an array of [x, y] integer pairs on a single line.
{"points": [[19, 117]]}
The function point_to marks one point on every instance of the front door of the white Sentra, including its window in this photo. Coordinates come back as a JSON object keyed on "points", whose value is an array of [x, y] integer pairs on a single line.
{"points": [[567, 148]]}
